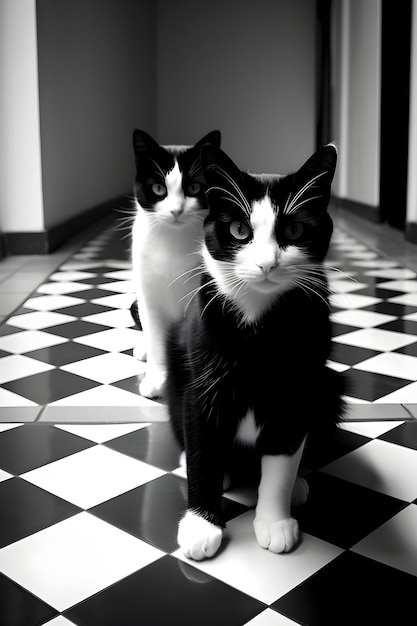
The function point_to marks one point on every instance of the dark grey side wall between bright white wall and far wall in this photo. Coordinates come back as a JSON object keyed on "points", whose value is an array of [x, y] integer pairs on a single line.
{"points": [[97, 82]]}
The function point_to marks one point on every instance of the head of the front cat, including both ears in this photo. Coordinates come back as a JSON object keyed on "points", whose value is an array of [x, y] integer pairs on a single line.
{"points": [[266, 234]]}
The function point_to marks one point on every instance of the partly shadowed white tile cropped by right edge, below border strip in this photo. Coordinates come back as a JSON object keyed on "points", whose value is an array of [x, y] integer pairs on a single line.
{"points": [[381, 466]]}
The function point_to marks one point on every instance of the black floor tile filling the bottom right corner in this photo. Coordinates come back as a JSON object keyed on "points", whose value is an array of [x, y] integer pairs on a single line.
{"points": [[352, 590]]}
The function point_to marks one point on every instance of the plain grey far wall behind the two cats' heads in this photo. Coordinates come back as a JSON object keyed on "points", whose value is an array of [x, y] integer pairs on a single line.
{"points": [[247, 68]]}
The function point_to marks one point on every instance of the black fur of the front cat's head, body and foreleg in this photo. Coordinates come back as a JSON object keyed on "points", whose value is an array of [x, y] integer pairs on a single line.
{"points": [[219, 367]]}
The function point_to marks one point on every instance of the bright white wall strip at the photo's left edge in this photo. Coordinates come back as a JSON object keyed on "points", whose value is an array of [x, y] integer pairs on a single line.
{"points": [[21, 201]]}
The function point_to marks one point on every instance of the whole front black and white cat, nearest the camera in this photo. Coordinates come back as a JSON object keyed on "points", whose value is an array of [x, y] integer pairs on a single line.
{"points": [[247, 366]]}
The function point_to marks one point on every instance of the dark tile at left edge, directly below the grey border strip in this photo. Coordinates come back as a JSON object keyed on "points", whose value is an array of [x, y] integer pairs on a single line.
{"points": [[26, 447]]}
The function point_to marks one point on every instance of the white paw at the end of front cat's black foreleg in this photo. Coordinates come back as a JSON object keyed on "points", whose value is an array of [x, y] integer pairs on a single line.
{"points": [[198, 538]]}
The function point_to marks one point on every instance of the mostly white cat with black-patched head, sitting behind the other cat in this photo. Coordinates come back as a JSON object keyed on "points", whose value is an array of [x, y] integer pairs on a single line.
{"points": [[166, 236]]}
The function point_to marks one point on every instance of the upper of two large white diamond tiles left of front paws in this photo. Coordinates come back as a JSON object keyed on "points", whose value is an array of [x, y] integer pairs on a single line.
{"points": [[92, 476]]}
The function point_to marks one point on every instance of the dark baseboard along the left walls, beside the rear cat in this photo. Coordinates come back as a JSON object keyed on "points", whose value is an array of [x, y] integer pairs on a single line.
{"points": [[49, 240]]}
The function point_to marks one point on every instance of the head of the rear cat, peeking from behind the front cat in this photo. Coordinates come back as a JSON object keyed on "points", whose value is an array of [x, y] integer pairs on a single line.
{"points": [[169, 185]]}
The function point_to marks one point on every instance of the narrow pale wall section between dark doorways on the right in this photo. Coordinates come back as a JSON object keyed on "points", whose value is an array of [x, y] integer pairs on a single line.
{"points": [[357, 85]]}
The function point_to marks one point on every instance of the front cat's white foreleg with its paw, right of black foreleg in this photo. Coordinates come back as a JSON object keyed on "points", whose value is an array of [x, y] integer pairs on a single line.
{"points": [[275, 529]]}
